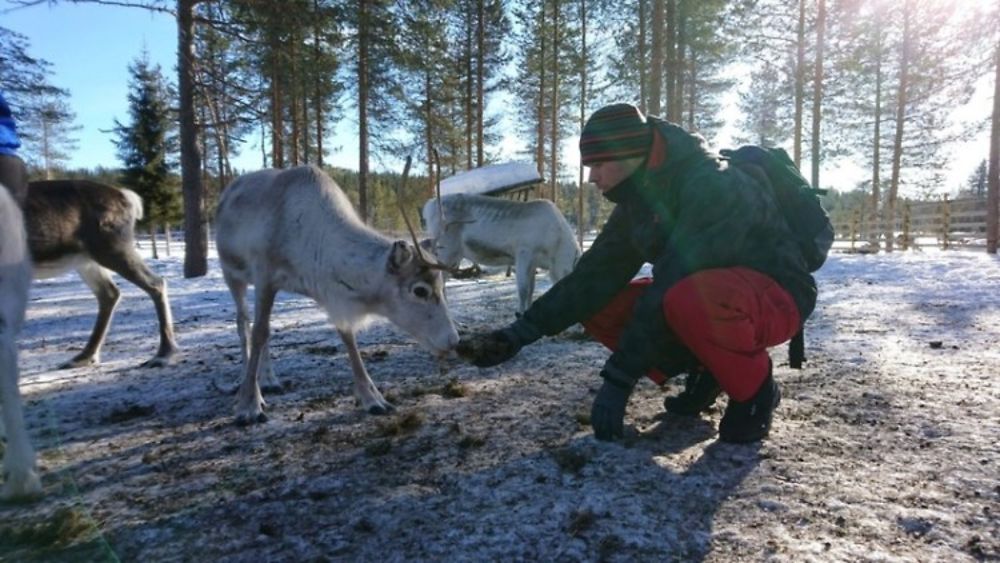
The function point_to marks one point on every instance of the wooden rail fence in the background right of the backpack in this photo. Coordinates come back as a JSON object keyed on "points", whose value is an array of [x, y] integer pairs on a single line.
{"points": [[945, 223]]}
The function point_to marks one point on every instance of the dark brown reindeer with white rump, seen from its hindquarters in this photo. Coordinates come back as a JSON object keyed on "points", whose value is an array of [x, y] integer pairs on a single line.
{"points": [[91, 227]]}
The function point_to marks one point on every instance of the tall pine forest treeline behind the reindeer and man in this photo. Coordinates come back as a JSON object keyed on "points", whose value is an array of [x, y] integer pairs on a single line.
{"points": [[874, 81]]}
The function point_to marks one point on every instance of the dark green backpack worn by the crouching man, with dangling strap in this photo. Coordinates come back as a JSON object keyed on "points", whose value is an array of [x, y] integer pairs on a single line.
{"points": [[800, 205]]}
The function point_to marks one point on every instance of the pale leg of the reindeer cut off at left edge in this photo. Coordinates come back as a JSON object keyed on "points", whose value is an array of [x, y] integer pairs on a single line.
{"points": [[21, 480]]}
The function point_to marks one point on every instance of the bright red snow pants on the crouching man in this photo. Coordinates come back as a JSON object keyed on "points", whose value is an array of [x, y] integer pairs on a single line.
{"points": [[726, 317]]}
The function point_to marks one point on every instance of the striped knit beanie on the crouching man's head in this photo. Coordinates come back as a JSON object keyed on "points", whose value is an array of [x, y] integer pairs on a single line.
{"points": [[614, 132]]}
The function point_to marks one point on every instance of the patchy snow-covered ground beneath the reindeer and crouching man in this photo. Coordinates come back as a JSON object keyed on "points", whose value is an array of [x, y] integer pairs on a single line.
{"points": [[886, 447]]}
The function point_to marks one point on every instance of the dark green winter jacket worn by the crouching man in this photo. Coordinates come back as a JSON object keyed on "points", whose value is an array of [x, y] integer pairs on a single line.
{"points": [[685, 212]]}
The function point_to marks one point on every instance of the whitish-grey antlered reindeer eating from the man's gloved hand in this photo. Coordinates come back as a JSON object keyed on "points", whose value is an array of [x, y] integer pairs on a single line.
{"points": [[295, 230]]}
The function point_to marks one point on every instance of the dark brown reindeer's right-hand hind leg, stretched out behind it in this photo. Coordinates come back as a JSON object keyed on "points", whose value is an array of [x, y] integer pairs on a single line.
{"points": [[124, 260]]}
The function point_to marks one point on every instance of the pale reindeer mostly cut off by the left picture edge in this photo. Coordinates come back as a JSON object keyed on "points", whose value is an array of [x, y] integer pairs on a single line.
{"points": [[21, 479]]}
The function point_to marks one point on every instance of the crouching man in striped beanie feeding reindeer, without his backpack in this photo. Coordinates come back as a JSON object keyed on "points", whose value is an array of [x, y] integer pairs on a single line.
{"points": [[728, 279]]}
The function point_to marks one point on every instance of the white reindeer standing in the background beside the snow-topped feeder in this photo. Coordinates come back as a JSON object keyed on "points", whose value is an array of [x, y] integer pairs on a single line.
{"points": [[502, 232]]}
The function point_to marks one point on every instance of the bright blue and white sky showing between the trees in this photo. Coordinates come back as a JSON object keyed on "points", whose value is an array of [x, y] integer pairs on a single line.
{"points": [[90, 48]]}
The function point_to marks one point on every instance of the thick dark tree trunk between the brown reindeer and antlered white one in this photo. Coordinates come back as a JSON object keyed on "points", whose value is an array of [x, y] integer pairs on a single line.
{"points": [[195, 237]]}
